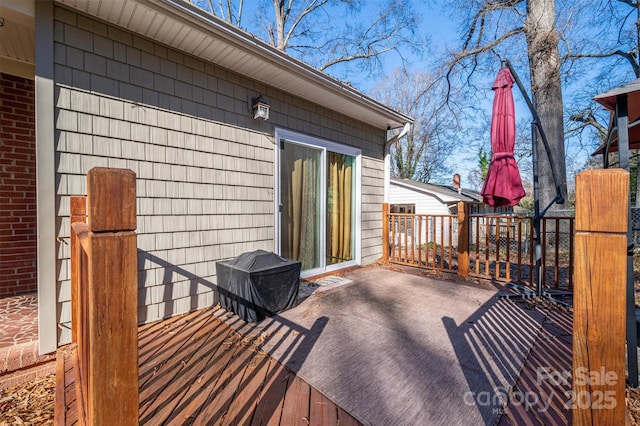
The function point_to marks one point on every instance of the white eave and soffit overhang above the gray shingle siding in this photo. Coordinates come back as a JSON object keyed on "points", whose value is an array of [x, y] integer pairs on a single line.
{"points": [[191, 30]]}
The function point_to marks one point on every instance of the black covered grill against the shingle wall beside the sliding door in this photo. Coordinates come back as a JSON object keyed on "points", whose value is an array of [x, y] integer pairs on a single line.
{"points": [[258, 284]]}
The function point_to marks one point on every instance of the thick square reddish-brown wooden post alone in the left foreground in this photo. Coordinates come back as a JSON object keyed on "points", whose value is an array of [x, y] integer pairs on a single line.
{"points": [[113, 298]]}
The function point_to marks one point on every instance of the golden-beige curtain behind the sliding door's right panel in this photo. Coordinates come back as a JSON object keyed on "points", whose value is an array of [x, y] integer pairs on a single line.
{"points": [[339, 208]]}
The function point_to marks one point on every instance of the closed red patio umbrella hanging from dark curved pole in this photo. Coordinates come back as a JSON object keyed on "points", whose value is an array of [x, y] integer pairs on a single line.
{"points": [[503, 185]]}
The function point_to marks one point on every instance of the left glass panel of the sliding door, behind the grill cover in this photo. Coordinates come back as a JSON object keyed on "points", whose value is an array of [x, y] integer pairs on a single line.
{"points": [[300, 198]]}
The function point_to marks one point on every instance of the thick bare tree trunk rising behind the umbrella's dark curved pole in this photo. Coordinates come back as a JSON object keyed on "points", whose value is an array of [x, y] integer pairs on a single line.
{"points": [[544, 64]]}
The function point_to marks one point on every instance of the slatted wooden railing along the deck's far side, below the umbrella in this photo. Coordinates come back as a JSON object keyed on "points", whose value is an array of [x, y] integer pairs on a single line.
{"points": [[496, 247]]}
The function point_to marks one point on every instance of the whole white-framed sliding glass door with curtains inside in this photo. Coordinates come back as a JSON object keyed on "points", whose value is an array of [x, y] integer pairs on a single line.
{"points": [[317, 206]]}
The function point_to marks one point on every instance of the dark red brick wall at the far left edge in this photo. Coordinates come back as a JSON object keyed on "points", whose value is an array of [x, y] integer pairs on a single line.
{"points": [[18, 256]]}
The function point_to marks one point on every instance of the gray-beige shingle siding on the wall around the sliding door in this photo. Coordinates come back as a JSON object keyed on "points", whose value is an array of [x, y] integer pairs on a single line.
{"points": [[205, 168]]}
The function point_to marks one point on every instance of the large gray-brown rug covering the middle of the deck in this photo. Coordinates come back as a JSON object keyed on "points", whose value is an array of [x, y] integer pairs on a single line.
{"points": [[395, 348]]}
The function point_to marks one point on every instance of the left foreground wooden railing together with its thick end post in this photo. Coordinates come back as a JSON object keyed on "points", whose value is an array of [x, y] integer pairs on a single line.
{"points": [[105, 298]]}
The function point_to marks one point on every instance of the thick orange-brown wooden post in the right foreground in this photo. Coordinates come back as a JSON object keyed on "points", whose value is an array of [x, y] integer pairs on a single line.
{"points": [[598, 395]]}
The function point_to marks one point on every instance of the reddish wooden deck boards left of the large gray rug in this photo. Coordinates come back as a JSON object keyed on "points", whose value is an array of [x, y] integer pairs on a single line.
{"points": [[195, 369]]}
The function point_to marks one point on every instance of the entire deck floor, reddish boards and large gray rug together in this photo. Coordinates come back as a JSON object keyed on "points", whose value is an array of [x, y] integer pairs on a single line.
{"points": [[390, 348]]}
